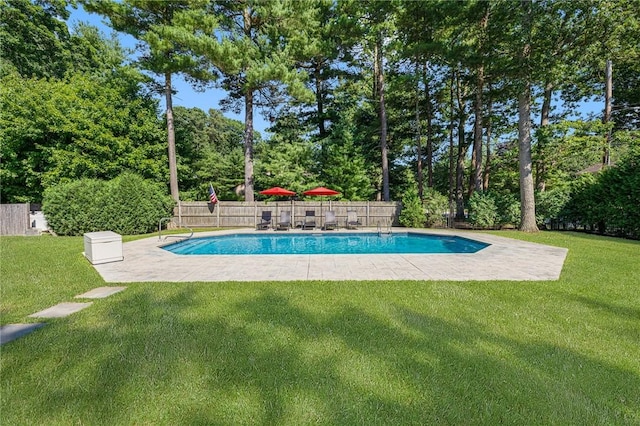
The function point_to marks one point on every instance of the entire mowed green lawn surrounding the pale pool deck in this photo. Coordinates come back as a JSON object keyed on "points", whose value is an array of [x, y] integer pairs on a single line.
{"points": [[392, 352]]}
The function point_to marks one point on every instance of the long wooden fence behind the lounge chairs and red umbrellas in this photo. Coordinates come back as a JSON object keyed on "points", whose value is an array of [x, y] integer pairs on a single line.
{"points": [[200, 214]]}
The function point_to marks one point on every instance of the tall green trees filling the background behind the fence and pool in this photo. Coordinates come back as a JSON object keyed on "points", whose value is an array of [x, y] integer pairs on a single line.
{"points": [[467, 97]]}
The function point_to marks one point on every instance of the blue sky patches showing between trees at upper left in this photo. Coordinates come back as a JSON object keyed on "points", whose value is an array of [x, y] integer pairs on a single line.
{"points": [[185, 96]]}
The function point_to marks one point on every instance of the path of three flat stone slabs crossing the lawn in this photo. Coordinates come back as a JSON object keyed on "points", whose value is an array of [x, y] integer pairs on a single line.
{"points": [[11, 332]]}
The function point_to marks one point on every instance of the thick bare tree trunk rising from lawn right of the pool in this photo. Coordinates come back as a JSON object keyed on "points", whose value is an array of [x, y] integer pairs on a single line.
{"points": [[527, 200]]}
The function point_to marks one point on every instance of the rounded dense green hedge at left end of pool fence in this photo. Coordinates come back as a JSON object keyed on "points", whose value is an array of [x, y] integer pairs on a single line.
{"points": [[128, 205]]}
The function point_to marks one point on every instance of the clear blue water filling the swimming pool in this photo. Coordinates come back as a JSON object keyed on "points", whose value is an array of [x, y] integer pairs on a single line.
{"points": [[325, 243]]}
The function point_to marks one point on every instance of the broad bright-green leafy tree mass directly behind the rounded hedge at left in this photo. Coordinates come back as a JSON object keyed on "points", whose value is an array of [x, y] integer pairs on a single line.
{"points": [[55, 131]]}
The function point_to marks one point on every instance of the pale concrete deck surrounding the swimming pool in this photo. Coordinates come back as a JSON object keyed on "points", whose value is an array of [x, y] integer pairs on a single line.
{"points": [[505, 259]]}
